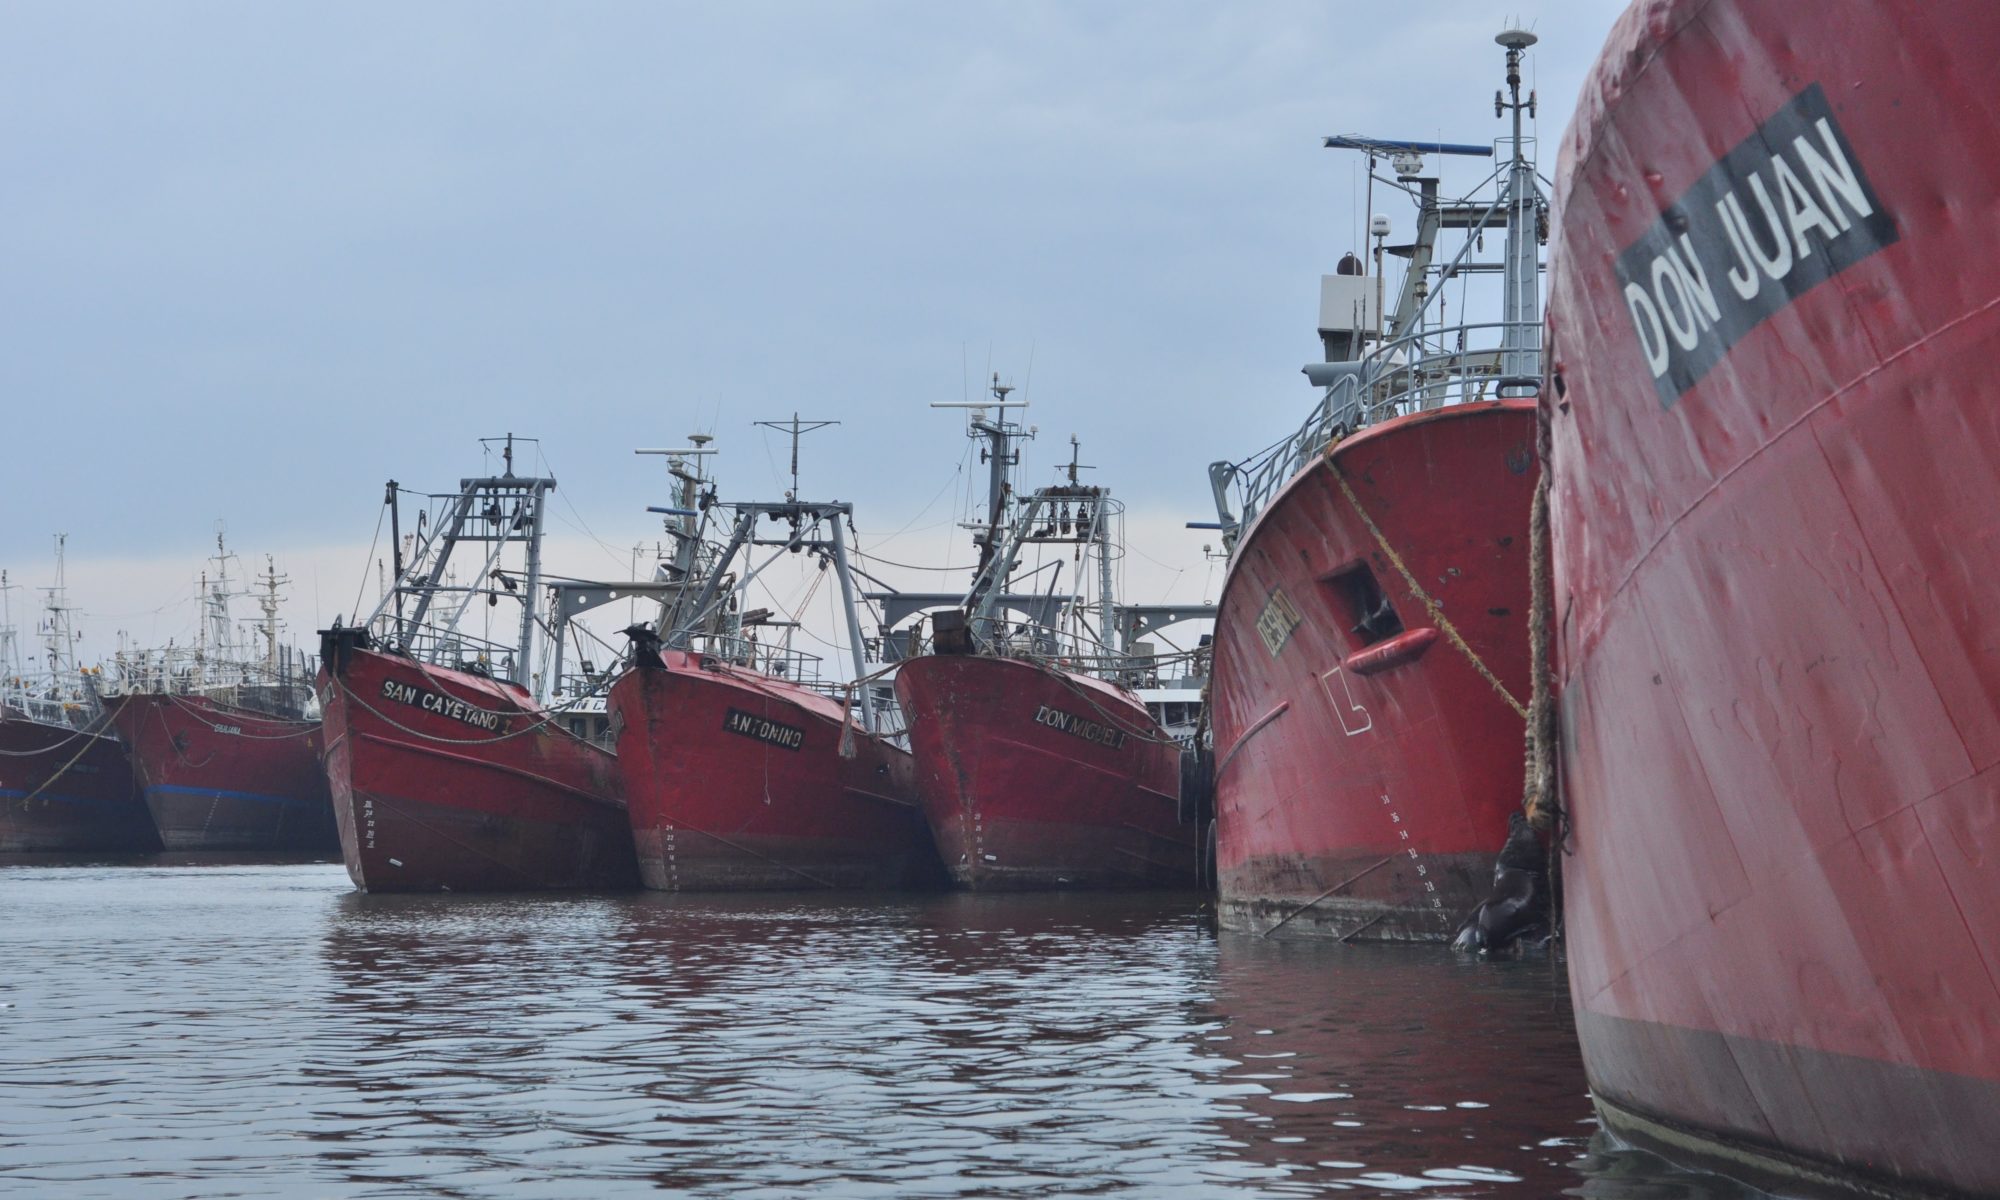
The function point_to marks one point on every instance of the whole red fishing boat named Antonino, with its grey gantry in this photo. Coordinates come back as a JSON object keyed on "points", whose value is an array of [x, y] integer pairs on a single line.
{"points": [[741, 773]]}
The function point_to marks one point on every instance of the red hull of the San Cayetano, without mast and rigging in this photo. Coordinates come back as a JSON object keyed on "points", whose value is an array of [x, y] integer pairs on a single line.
{"points": [[481, 797]]}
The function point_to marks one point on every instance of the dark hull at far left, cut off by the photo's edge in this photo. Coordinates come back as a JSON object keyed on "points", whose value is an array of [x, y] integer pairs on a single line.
{"points": [[67, 791]]}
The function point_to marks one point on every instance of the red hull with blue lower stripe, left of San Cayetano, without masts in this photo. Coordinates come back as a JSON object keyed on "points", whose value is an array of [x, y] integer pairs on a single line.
{"points": [[217, 777]]}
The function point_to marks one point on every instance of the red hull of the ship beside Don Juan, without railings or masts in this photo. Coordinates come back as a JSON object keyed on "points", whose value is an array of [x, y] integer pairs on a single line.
{"points": [[1363, 787]]}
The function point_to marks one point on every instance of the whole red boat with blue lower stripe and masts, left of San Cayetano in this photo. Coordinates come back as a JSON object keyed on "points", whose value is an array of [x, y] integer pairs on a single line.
{"points": [[219, 735]]}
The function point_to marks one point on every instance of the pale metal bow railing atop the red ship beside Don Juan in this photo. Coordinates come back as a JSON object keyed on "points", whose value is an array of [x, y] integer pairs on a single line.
{"points": [[1423, 371]]}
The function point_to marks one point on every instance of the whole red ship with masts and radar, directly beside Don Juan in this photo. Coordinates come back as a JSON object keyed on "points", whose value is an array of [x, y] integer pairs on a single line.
{"points": [[1371, 663]]}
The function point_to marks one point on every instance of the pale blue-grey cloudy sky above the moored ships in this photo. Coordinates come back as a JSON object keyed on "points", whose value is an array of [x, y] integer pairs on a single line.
{"points": [[259, 259]]}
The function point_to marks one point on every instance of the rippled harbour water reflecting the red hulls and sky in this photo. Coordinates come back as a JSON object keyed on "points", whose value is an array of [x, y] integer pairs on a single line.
{"points": [[261, 1031]]}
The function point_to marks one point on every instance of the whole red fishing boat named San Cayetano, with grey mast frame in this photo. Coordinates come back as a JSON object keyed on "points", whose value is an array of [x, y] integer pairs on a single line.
{"points": [[447, 771]]}
